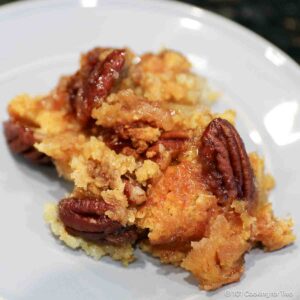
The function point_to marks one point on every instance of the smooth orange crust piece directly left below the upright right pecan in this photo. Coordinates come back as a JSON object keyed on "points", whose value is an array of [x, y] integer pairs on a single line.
{"points": [[169, 212]]}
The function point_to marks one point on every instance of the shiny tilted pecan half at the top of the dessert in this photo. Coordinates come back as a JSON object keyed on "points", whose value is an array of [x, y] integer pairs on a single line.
{"points": [[97, 84]]}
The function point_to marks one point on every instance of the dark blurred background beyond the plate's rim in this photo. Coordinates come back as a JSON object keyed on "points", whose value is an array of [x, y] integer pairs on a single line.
{"points": [[276, 20]]}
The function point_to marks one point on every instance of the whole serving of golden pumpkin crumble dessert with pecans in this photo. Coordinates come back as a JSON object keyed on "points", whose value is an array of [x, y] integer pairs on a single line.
{"points": [[152, 166]]}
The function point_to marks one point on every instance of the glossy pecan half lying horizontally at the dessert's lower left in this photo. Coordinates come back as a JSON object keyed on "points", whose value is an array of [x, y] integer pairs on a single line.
{"points": [[86, 218]]}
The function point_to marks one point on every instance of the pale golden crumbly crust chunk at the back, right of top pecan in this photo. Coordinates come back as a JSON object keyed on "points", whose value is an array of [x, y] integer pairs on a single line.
{"points": [[167, 77]]}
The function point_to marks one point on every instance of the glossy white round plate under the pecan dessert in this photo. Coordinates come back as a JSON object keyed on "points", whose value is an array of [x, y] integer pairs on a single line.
{"points": [[40, 41]]}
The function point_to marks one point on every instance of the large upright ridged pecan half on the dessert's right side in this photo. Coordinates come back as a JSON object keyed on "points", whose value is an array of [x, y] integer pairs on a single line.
{"points": [[226, 165]]}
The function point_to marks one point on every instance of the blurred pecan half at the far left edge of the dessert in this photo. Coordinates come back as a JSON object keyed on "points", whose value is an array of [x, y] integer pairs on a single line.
{"points": [[20, 139]]}
